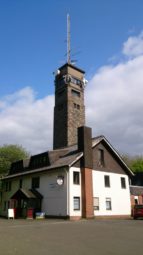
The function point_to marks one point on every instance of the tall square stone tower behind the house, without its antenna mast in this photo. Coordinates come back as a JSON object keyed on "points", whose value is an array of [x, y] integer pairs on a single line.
{"points": [[69, 110]]}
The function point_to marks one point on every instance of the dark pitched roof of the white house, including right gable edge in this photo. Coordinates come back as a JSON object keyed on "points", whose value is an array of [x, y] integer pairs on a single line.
{"points": [[60, 158]]}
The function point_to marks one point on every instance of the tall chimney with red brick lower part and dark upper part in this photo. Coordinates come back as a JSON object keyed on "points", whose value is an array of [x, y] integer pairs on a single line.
{"points": [[85, 146]]}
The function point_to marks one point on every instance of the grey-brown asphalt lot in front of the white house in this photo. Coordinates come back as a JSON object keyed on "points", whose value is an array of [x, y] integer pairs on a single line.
{"points": [[85, 237]]}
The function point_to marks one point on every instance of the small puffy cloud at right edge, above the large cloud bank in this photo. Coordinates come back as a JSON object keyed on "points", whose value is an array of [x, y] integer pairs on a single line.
{"points": [[133, 46]]}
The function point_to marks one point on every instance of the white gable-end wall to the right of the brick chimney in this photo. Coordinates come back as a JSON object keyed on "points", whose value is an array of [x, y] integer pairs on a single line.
{"points": [[120, 198]]}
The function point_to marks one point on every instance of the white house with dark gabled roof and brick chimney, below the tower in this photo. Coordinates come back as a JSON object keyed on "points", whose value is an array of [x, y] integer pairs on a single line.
{"points": [[85, 180]]}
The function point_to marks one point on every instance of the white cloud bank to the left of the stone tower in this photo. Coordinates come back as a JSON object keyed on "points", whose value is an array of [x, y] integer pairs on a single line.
{"points": [[26, 120]]}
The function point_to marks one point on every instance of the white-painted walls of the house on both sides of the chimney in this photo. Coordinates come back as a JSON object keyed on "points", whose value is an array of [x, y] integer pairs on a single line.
{"points": [[58, 200]]}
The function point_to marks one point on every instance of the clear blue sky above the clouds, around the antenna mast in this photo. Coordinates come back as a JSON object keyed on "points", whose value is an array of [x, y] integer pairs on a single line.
{"points": [[33, 35]]}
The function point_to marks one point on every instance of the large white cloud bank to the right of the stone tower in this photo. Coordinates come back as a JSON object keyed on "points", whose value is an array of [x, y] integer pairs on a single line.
{"points": [[115, 105]]}
